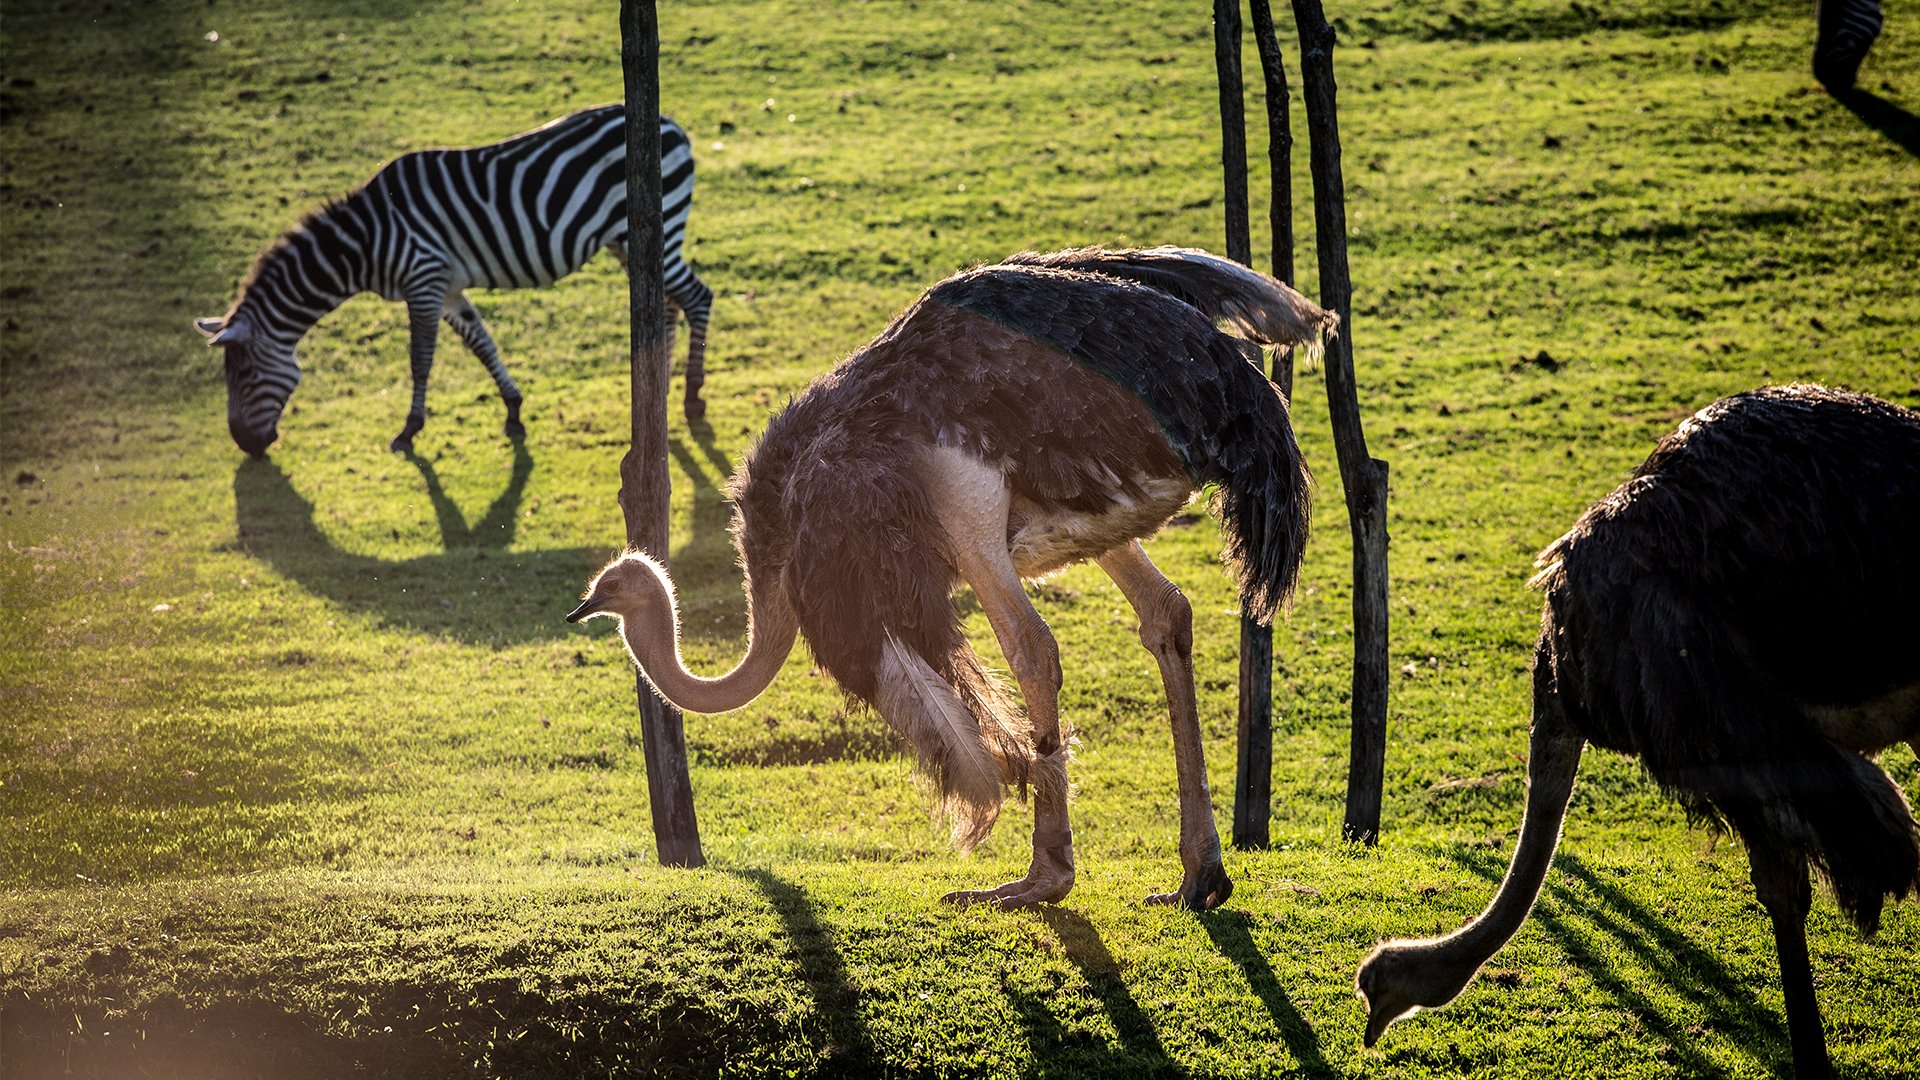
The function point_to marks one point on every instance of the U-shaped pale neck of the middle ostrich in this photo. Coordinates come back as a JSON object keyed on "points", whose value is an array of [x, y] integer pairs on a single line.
{"points": [[656, 647]]}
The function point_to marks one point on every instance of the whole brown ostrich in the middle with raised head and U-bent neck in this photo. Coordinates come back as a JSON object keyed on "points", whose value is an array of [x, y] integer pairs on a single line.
{"points": [[1019, 418]]}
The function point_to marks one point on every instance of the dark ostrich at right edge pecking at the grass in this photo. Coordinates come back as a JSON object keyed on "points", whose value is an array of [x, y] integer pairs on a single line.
{"points": [[1742, 618]]}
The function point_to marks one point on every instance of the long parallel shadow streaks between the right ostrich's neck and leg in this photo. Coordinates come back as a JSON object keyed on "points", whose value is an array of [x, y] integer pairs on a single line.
{"points": [[1696, 975]]}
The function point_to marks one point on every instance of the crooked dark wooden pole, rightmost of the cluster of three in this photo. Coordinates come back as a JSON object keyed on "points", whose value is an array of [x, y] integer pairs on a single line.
{"points": [[1362, 474]]}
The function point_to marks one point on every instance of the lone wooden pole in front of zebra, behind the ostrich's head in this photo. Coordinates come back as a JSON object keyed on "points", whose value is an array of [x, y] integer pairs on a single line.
{"points": [[644, 481]]}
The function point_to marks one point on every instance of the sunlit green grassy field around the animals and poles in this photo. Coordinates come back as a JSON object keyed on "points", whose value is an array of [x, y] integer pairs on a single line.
{"points": [[302, 772]]}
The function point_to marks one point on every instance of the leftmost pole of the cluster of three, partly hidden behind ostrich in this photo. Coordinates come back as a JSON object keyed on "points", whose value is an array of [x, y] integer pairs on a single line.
{"points": [[1253, 775]]}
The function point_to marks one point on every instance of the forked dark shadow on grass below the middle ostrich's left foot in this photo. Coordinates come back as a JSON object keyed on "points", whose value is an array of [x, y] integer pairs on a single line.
{"points": [[1057, 1050]]}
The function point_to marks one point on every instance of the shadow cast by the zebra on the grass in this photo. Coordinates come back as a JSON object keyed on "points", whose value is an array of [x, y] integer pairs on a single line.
{"points": [[473, 591]]}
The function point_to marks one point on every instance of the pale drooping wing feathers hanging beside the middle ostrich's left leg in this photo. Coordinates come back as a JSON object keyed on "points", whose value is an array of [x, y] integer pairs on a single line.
{"points": [[953, 749]]}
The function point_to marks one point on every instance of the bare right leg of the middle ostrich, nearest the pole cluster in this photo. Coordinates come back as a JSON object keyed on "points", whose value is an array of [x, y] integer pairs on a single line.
{"points": [[1168, 633]]}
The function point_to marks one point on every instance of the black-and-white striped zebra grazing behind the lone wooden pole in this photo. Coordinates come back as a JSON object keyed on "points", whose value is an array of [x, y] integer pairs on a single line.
{"points": [[435, 224]]}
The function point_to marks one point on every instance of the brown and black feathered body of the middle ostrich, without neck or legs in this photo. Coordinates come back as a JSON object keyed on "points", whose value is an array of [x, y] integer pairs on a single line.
{"points": [[1103, 403]]}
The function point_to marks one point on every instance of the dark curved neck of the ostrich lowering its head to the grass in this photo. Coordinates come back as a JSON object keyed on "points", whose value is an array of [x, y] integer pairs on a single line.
{"points": [[1552, 760]]}
